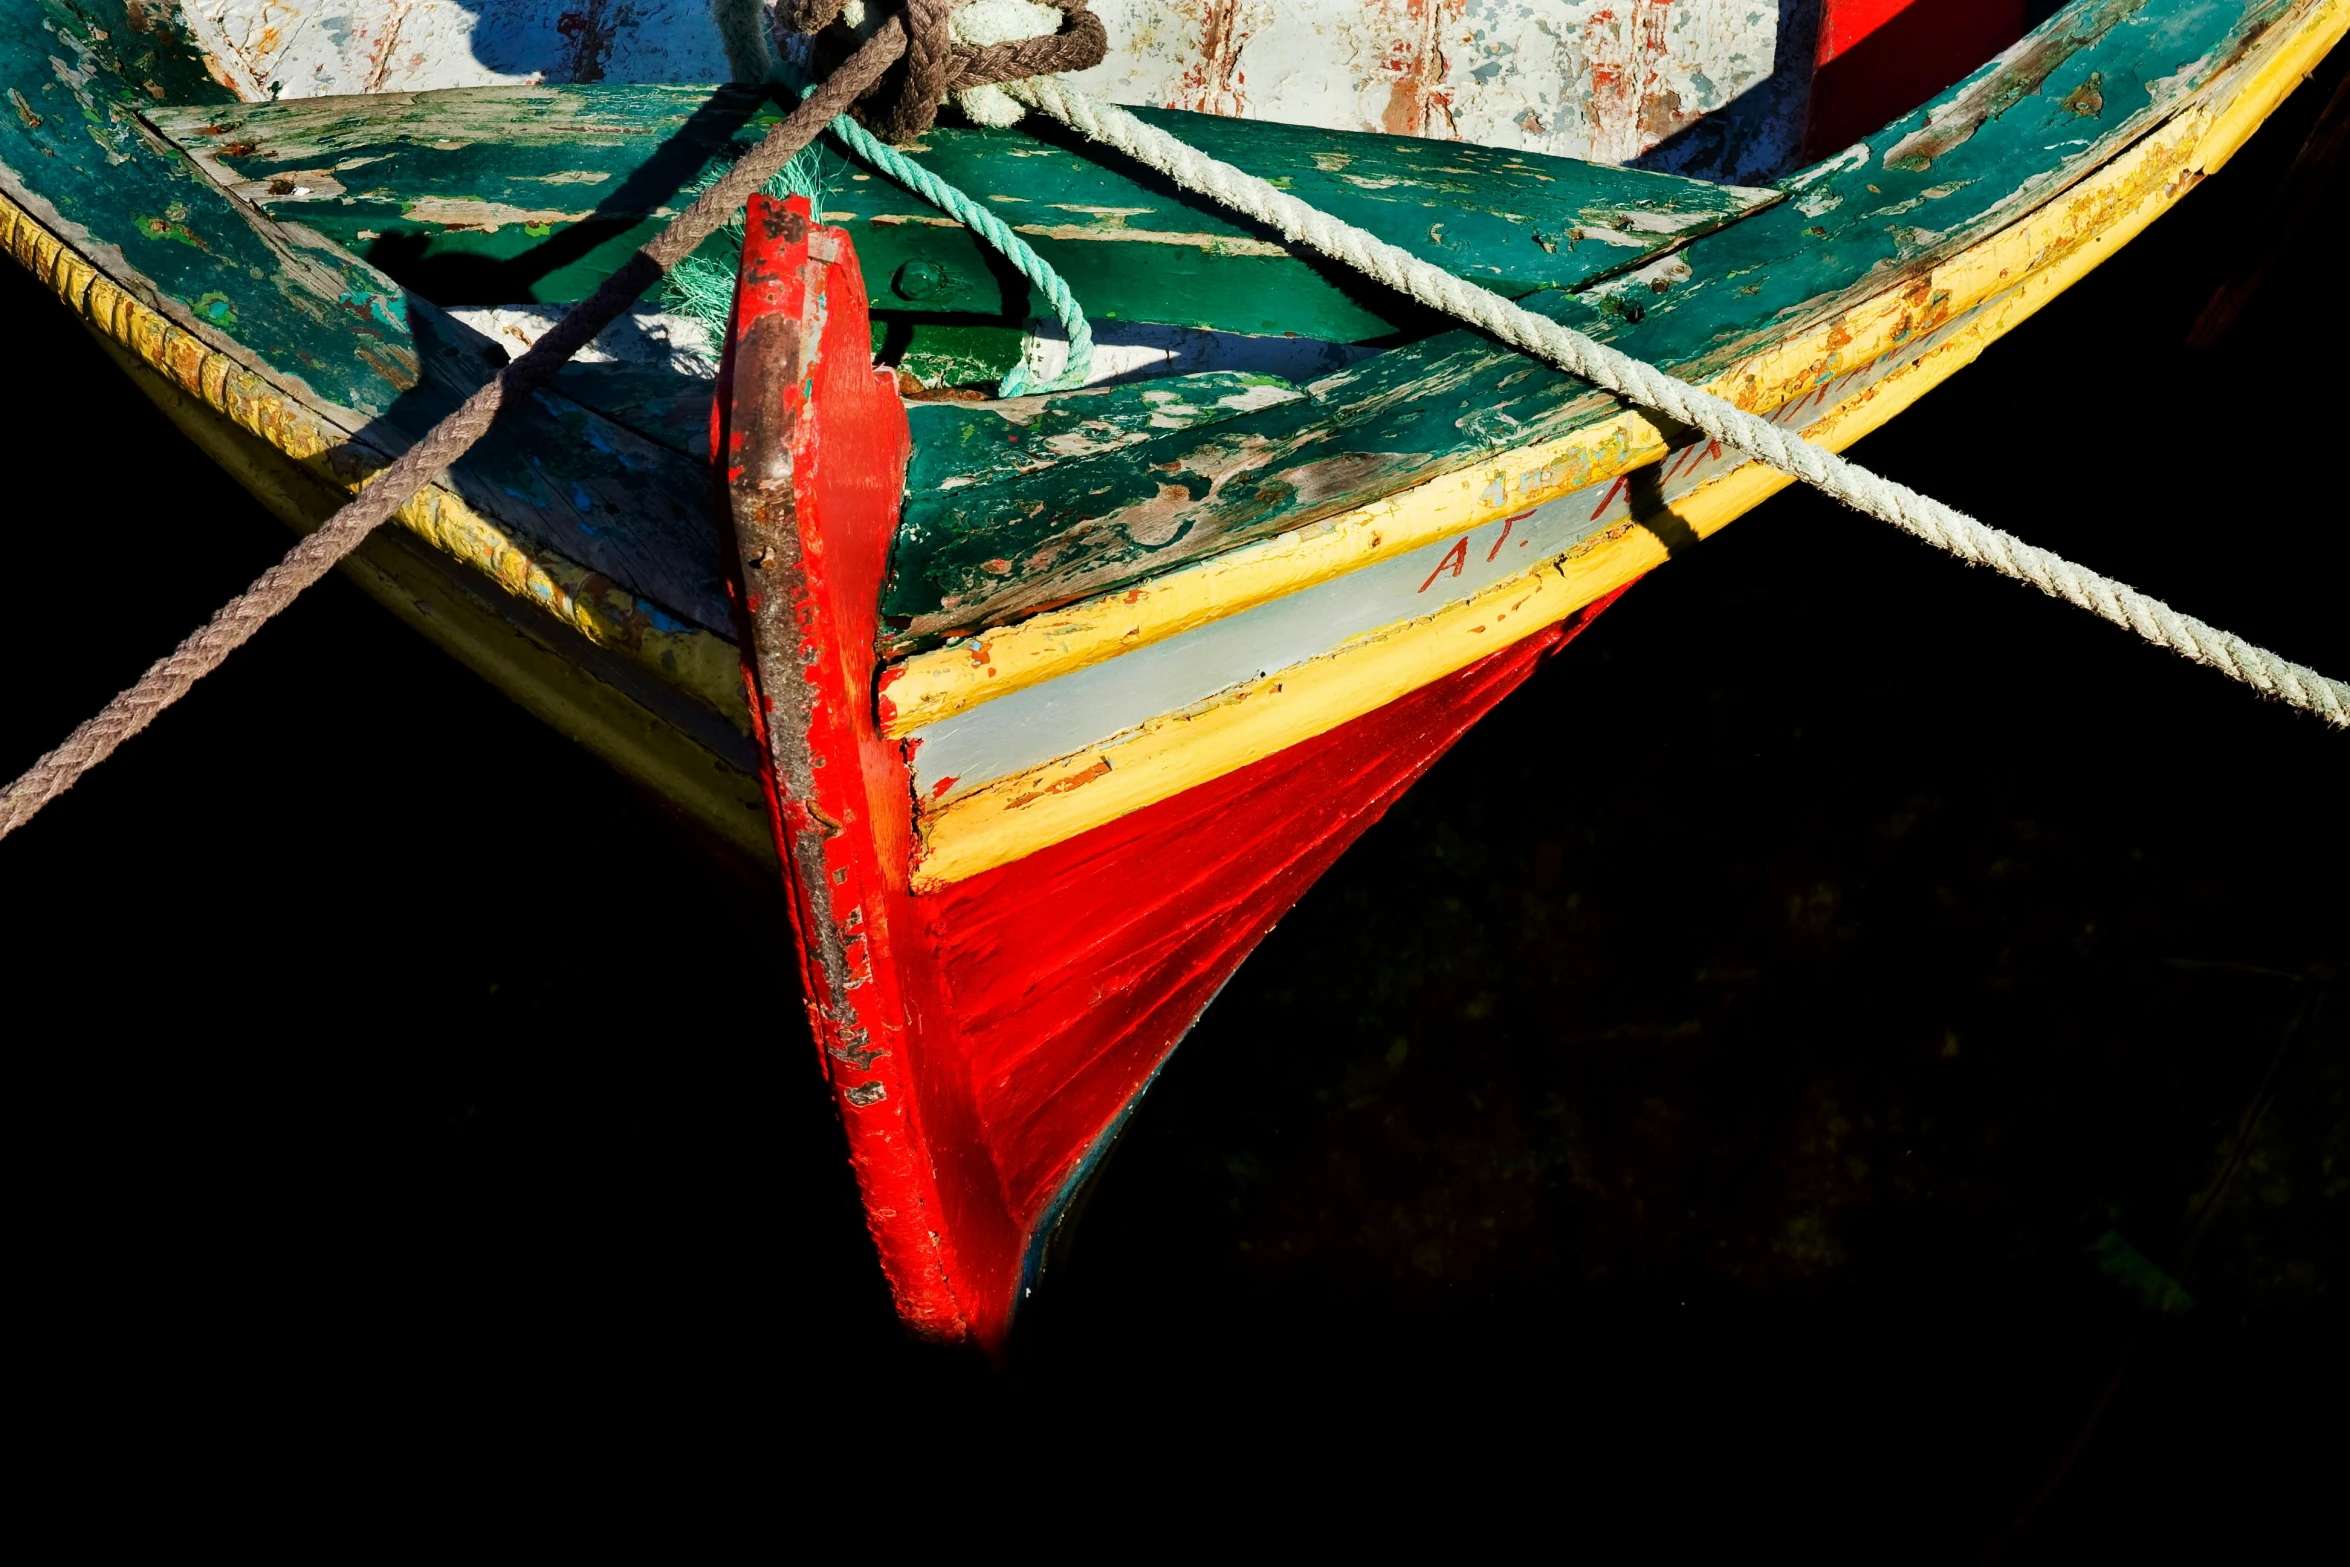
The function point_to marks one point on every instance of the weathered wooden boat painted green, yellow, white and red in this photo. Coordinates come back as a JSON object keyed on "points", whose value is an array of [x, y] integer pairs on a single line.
{"points": [[1061, 701]]}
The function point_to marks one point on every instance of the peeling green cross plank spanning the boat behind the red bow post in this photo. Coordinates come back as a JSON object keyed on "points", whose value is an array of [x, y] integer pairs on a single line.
{"points": [[506, 196]]}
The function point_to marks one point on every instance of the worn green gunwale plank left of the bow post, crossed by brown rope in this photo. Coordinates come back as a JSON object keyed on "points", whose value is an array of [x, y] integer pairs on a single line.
{"points": [[325, 330]]}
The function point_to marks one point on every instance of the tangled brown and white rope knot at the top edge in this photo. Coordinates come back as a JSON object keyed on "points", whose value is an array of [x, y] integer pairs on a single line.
{"points": [[962, 55]]}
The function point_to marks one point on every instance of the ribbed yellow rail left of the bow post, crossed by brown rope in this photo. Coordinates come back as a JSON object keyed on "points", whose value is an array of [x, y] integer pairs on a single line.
{"points": [[694, 661]]}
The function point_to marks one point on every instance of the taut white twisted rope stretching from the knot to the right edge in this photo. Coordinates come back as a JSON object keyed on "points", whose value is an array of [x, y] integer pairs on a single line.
{"points": [[1649, 386]]}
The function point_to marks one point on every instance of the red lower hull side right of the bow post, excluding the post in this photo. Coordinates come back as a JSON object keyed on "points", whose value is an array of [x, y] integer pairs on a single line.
{"points": [[1075, 974]]}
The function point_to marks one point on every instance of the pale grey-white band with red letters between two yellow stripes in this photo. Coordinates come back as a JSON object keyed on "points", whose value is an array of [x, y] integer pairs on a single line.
{"points": [[1061, 718]]}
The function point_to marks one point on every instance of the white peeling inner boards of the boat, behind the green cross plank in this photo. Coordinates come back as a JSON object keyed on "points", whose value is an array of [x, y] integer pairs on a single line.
{"points": [[1583, 79]]}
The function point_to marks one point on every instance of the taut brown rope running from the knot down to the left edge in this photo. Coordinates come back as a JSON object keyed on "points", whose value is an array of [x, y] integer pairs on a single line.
{"points": [[307, 563]]}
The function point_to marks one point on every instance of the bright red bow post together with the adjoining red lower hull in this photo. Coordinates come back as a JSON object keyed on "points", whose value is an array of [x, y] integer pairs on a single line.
{"points": [[986, 1042]]}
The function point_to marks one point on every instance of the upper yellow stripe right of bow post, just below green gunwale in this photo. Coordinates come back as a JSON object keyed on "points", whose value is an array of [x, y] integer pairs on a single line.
{"points": [[946, 682]]}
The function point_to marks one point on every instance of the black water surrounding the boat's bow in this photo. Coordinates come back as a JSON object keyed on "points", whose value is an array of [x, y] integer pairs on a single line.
{"points": [[1712, 1101]]}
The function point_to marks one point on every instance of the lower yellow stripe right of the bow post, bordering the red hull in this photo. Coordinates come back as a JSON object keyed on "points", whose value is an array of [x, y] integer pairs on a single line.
{"points": [[1174, 753]]}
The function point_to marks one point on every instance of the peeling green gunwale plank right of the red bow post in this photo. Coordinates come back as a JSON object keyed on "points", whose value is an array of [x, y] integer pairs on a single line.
{"points": [[991, 553]]}
